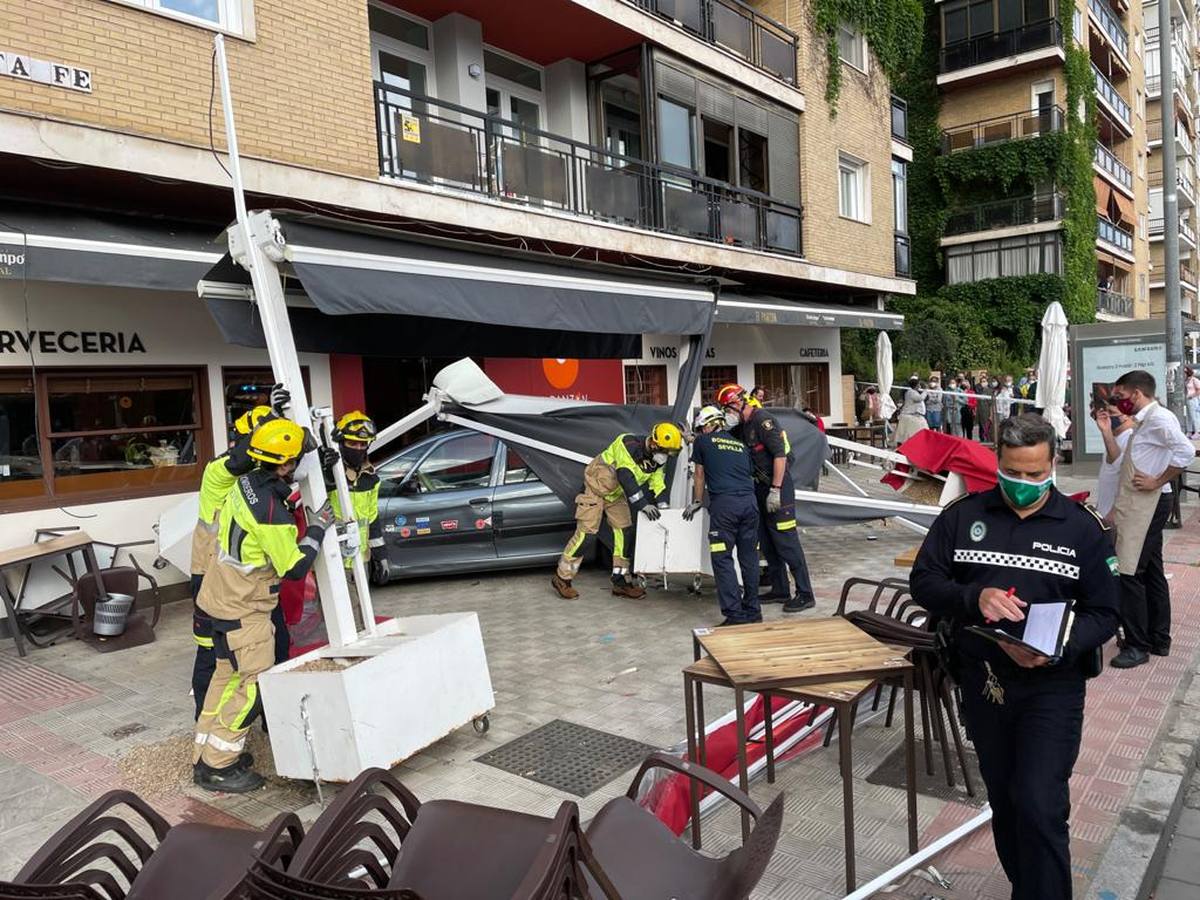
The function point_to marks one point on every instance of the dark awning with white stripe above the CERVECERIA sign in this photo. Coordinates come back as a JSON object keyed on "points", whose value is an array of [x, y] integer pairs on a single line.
{"points": [[67, 245]]}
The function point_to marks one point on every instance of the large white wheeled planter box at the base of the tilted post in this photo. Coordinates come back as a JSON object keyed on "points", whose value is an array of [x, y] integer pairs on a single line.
{"points": [[411, 685]]}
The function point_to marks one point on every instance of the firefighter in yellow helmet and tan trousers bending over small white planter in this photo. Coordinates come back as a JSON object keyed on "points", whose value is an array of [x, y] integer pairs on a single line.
{"points": [[626, 479]]}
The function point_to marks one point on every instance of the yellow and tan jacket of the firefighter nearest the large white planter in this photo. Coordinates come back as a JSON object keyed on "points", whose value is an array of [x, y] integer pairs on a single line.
{"points": [[257, 547]]}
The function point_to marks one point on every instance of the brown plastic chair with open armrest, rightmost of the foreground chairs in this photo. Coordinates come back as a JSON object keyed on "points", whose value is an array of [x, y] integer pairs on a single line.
{"points": [[646, 861]]}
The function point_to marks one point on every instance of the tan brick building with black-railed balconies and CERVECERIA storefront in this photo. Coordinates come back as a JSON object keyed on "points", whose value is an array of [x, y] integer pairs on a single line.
{"points": [[645, 148]]}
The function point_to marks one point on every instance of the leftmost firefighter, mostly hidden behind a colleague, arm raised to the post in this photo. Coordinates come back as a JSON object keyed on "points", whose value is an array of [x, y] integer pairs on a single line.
{"points": [[219, 478]]}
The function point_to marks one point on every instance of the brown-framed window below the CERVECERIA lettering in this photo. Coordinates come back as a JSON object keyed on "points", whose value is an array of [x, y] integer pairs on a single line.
{"points": [[98, 435]]}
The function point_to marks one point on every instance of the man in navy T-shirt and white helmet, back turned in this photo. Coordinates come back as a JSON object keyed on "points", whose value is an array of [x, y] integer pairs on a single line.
{"points": [[723, 465]]}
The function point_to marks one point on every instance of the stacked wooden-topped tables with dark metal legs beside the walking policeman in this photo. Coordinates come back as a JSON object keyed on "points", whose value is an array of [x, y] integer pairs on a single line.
{"points": [[829, 662]]}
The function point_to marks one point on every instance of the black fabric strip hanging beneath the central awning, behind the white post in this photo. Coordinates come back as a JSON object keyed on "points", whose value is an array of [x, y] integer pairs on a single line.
{"points": [[415, 335]]}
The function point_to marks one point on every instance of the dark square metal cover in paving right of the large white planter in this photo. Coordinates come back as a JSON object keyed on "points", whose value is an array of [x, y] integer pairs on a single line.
{"points": [[567, 757]]}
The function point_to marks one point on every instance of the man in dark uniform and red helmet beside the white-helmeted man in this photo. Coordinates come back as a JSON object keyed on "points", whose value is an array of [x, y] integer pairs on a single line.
{"points": [[771, 454]]}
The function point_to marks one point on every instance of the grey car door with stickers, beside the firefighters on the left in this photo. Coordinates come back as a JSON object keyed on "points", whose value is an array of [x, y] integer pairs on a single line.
{"points": [[439, 507]]}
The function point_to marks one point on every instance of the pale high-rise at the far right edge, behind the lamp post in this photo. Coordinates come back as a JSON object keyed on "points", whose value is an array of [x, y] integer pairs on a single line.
{"points": [[1183, 49]]}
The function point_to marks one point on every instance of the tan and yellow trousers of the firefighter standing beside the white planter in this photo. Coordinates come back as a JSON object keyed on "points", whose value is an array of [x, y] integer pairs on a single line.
{"points": [[245, 649]]}
